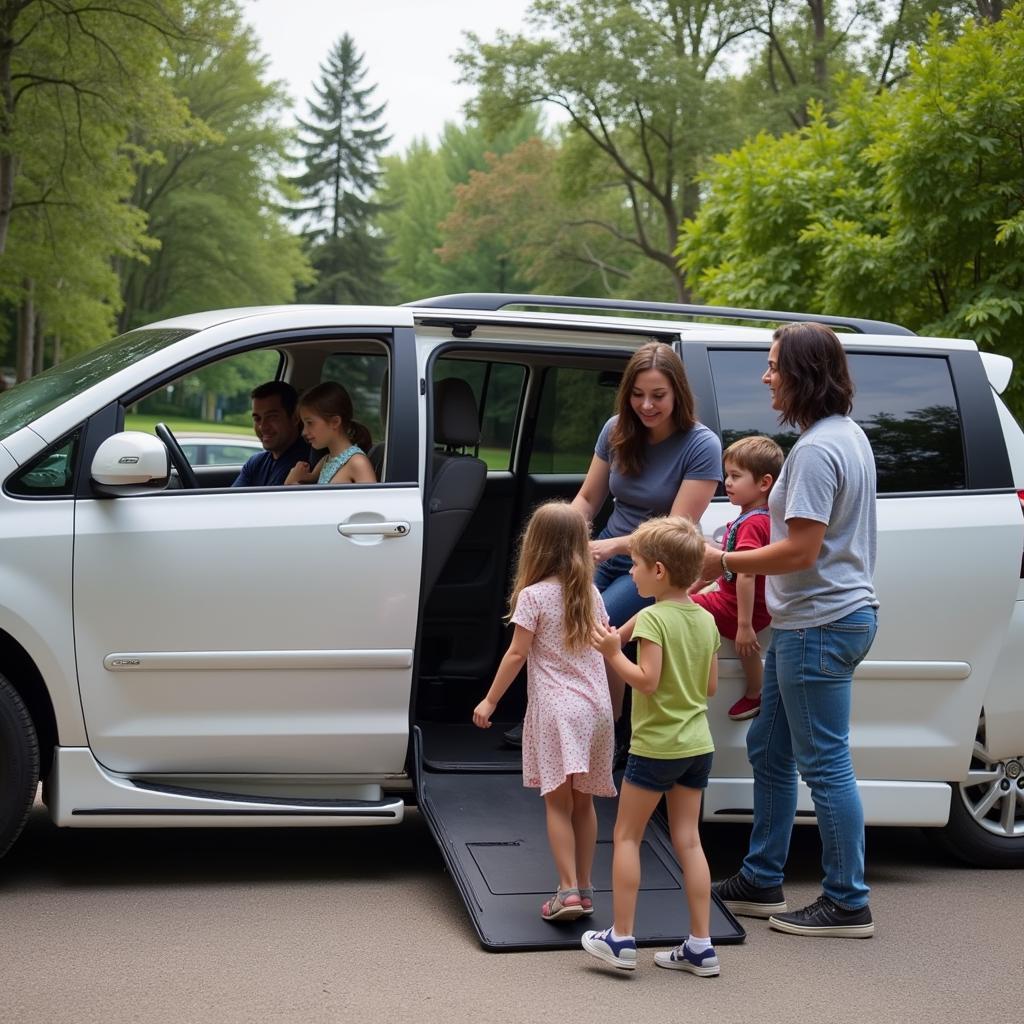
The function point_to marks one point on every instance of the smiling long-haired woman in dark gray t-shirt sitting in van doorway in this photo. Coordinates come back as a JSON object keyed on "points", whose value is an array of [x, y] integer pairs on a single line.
{"points": [[655, 459]]}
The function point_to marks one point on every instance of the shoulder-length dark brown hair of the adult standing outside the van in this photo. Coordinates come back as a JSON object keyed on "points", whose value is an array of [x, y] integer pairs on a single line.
{"points": [[815, 377]]}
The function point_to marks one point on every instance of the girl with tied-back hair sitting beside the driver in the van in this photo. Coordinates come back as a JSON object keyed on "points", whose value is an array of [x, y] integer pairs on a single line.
{"points": [[326, 412]]}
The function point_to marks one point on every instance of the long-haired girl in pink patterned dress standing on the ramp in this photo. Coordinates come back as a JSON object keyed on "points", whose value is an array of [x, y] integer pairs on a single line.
{"points": [[569, 738]]}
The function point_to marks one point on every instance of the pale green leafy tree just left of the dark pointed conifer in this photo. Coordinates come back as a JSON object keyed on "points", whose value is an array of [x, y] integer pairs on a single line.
{"points": [[211, 199]]}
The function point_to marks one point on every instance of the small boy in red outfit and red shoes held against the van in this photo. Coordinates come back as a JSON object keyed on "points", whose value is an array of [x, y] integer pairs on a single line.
{"points": [[738, 601]]}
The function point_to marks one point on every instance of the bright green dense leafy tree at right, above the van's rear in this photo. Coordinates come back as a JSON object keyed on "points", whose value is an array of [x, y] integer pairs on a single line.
{"points": [[910, 206]]}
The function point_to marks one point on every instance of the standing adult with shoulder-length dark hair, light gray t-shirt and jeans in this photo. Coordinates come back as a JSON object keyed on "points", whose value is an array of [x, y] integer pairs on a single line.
{"points": [[825, 616]]}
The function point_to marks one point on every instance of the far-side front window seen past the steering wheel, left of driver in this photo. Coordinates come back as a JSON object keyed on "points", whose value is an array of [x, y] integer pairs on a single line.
{"points": [[209, 411]]}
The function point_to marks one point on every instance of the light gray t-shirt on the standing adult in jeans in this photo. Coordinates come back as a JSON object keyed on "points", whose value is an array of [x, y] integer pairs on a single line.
{"points": [[829, 478]]}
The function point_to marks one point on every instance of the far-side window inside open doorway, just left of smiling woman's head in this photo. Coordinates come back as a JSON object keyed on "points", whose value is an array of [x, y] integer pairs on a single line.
{"points": [[575, 405]]}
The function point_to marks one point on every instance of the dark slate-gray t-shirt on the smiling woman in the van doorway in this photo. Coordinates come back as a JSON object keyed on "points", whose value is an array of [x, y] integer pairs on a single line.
{"points": [[693, 455]]}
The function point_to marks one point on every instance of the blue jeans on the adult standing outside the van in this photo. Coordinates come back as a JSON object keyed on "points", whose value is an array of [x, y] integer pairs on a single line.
{"points": [[804, 727]]}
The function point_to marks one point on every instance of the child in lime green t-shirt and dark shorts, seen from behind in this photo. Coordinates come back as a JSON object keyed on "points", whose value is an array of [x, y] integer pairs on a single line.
{"points": [[671, 749]]}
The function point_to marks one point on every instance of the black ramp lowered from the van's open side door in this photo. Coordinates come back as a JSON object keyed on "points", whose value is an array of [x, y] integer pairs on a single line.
{"points": [[491, 831]]}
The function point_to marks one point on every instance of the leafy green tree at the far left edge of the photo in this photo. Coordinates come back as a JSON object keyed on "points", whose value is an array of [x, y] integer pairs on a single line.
{"points": [[74, 78]]}
